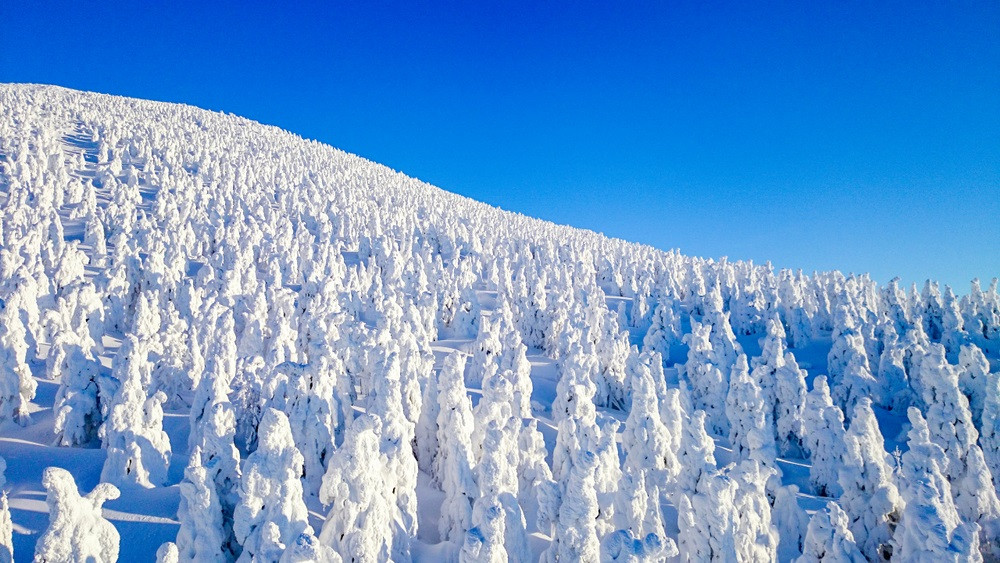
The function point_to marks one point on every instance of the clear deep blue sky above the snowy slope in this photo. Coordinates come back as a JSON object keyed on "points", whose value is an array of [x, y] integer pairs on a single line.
{"points": [[821, 135]]}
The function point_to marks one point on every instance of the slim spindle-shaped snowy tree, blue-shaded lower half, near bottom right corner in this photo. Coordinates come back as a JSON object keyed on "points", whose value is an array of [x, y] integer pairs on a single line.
{"points": [[870, 496]]}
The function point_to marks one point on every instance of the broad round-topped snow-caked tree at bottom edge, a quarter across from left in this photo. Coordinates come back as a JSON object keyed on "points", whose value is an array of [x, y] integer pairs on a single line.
{"points": [[271, 489]]}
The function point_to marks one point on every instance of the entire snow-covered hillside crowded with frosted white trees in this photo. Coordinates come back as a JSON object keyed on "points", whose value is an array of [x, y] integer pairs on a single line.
{"points": [[220, 341]]}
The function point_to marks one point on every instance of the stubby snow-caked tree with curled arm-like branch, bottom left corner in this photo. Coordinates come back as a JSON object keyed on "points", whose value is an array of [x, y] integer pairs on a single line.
{"points": [[77, 530]]}
